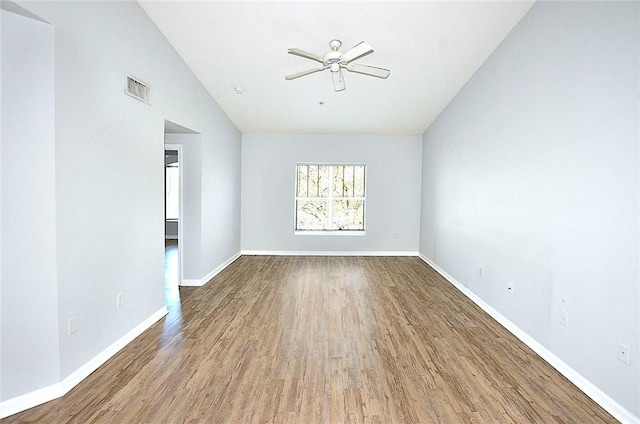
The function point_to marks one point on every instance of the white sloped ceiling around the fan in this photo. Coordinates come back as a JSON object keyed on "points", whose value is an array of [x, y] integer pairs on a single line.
{"points": [[431, 47]]}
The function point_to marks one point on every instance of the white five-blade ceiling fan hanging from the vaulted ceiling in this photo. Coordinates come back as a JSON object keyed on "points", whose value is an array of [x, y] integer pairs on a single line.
{"points": [[335, 61]]}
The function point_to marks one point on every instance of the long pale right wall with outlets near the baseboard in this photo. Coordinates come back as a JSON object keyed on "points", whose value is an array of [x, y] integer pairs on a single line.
{"points": [[532, 174]]}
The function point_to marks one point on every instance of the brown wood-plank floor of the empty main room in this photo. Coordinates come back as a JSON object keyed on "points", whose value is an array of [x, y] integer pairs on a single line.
{"points": [[323, 340]]}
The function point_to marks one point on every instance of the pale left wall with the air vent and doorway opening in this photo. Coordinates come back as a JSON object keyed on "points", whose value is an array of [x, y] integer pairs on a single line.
{"points": [[109, 191]]}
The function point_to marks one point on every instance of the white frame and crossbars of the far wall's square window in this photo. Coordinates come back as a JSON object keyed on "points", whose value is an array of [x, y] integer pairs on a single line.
{"points": [[329, 199]]}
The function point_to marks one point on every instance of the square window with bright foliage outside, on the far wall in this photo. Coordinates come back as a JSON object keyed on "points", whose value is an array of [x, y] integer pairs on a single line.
{"points": [[330, 197]]}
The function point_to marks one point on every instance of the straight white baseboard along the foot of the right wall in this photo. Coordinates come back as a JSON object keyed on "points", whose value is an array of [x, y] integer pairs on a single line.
{"points": [[606, 402]]}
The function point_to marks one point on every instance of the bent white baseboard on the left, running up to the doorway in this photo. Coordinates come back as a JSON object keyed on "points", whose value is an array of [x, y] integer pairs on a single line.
{"points": [[54, 391]]}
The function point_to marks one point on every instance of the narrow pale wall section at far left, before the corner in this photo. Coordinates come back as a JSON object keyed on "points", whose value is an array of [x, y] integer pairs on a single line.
{"points": [[29, 308]]}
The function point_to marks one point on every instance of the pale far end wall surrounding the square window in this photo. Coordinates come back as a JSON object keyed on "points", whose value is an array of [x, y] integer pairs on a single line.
{"points": [[392, 190]]}
